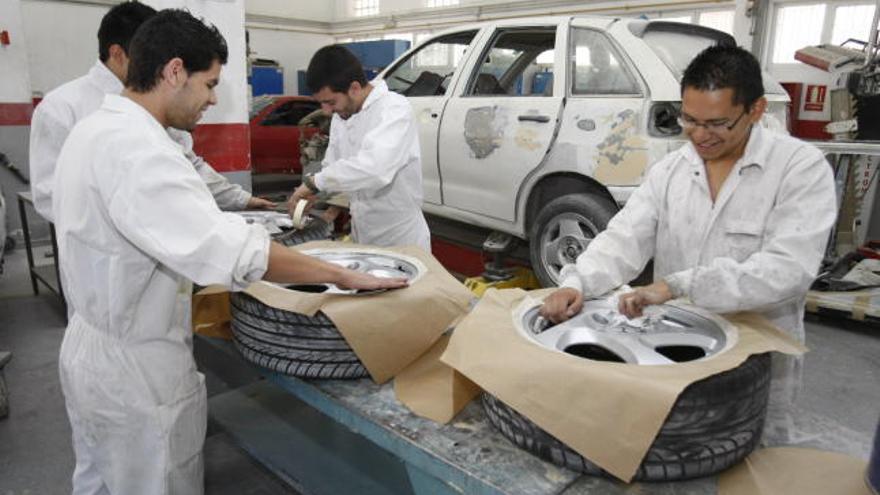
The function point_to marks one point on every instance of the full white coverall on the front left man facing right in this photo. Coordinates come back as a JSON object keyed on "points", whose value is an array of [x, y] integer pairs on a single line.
{"points": [[135, 226]]}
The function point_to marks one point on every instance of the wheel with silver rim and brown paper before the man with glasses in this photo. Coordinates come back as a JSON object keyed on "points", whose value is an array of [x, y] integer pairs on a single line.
{"points": [[714, 423]]}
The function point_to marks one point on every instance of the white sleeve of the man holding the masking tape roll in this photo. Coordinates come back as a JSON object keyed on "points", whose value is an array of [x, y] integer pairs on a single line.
{"points": [[385, 150]]}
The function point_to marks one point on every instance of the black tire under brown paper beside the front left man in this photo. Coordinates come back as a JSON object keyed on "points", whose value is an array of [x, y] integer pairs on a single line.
{"points": [[291, 343]]}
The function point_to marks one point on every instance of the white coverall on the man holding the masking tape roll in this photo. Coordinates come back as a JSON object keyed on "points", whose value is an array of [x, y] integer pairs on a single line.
{"points": [[374, 157]]}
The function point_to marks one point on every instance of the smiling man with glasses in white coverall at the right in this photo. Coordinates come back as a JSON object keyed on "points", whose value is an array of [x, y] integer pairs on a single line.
{"points": [[737, 219]]}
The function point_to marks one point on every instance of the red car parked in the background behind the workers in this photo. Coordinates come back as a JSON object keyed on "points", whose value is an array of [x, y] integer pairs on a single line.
{"points": [[275, 133]]}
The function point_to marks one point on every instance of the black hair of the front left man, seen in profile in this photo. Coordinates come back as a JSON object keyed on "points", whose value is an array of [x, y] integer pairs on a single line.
{"points": [[172, 33]]}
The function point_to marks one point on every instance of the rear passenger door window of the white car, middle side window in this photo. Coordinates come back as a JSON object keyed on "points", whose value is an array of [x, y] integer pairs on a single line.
{"points": [[518, 63]]}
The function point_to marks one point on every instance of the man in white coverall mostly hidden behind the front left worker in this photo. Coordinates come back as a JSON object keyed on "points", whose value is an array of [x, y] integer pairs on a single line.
{"points": [[66, 105]]}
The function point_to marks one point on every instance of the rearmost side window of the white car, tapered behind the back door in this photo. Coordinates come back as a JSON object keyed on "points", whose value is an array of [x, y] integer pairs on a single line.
{"points": [[597, 66]]}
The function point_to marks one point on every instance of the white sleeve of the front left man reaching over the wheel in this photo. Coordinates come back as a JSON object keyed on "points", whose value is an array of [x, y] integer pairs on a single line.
{"points": [[160, 205]]}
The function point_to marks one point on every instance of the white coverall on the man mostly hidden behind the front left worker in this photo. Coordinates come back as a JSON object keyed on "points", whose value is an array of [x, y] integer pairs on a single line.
{"points": [[66, 105]]}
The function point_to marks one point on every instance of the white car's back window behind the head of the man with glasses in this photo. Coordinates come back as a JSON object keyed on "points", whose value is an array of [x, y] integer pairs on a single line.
{"points": [[676, 44]]}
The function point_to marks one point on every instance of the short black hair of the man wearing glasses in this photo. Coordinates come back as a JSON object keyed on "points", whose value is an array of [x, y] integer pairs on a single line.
{"points": [[726, 66]]}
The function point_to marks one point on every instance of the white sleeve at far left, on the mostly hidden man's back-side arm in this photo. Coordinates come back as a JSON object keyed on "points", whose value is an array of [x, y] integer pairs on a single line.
{"points": [[49, 129]]}
